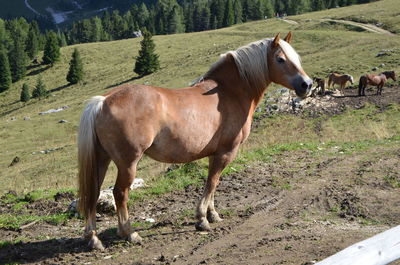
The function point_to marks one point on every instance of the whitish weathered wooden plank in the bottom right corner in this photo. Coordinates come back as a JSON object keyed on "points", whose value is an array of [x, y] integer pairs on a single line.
{"points": [[380, 249]]}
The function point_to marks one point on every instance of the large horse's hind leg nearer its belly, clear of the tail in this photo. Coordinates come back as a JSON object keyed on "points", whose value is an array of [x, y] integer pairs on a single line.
{"points": [[126, 175]]}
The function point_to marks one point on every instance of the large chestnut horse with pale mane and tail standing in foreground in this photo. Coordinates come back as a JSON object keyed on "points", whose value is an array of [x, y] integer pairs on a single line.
{"points": [[210, 119]]}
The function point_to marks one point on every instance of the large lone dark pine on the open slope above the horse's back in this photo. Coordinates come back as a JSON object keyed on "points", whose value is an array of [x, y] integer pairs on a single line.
{"points": [[147, 61]]}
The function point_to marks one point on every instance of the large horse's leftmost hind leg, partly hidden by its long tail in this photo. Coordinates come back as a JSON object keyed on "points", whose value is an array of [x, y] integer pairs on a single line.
{"points": [[103, 160]]}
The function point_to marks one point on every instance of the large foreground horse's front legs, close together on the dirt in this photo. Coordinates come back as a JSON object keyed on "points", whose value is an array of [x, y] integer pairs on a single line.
{"points": [[206, 210]]}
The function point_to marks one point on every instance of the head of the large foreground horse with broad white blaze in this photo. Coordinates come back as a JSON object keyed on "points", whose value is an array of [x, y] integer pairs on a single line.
{"points": [[285, 67]]}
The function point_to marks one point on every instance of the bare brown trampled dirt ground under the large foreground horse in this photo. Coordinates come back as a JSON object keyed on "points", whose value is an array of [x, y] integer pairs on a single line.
{"points": [[297, 208]]}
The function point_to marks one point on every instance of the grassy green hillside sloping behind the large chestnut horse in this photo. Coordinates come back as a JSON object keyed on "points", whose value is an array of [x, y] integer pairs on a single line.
{"points": [[183, 57]]}
